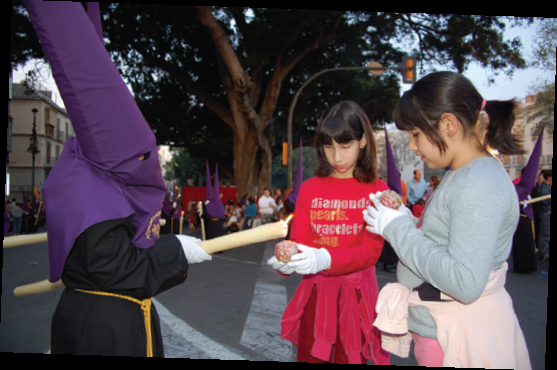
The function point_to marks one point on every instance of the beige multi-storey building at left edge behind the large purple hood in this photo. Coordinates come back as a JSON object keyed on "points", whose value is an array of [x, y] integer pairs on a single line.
{"points": [[53, 128]]}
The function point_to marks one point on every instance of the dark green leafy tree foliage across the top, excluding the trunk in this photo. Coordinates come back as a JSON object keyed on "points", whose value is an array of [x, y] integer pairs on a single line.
{"points": [[170, 61]]}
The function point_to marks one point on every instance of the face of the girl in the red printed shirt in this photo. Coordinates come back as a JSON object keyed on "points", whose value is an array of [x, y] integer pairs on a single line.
{"points": [[343, 157]]}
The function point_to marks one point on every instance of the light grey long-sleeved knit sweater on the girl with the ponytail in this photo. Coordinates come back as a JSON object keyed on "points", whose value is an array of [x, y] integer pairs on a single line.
{"points": [[467, 231]]}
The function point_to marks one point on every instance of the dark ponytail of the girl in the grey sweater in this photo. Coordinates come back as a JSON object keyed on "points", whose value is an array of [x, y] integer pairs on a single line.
{"points": [[498, 134]]}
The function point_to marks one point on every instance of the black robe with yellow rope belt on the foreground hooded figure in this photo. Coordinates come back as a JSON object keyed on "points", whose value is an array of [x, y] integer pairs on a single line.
{"points": [[103, 258]]}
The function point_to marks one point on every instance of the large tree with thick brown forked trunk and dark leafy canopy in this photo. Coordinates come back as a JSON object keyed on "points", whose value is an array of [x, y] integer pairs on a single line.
{"points": [[201, 71]]}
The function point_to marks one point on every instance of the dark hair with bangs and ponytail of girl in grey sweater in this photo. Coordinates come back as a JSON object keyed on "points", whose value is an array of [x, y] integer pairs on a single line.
{"points": [[450, 92]]}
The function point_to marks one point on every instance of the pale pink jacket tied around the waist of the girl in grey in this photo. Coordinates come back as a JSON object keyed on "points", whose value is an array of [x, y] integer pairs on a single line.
{"points": [[484, 333]]}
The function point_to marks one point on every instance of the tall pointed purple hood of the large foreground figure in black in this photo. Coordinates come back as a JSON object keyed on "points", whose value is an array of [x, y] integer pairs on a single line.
{"points": [[110, 170]]}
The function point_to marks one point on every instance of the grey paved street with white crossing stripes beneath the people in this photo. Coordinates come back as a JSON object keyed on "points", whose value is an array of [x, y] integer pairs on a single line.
{"points": [[229, 308]]}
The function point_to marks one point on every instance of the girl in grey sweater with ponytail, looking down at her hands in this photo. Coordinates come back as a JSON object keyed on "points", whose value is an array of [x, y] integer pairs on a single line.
{"points": [[467, 228]]}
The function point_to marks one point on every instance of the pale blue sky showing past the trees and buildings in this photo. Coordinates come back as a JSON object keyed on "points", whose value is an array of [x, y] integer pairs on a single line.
{"points": [[518, 86]]}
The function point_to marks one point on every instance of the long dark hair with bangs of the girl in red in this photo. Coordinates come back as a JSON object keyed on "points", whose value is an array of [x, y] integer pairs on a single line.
{"points": [[344, 122]]}
